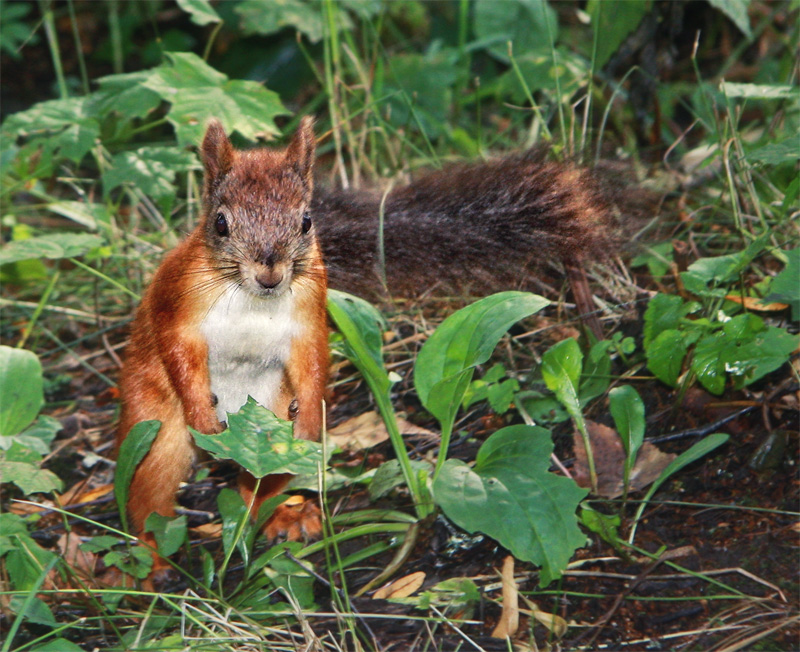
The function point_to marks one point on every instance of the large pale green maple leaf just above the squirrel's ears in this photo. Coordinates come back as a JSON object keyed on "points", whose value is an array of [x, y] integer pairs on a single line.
{"points": [[198, 93]]}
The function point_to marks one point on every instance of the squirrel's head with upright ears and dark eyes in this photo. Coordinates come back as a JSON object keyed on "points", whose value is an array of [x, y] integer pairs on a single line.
{"points": [[256, 210]]}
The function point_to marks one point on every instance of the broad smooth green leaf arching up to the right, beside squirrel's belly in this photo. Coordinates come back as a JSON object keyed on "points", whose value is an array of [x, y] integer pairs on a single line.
{"points": [[467, 338]]}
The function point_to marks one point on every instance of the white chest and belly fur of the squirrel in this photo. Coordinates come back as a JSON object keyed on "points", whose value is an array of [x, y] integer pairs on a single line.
{"points": [[249, 340]]}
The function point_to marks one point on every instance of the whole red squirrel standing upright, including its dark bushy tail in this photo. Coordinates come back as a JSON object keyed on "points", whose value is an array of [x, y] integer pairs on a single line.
{"points": [[238, 308]]}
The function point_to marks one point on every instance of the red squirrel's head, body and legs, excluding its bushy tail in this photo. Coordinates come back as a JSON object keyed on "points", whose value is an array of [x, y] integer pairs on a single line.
{"points": [[237, 309]]}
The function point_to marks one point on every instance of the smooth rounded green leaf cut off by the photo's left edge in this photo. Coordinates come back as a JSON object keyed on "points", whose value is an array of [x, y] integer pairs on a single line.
{"points": [[21, 388]]}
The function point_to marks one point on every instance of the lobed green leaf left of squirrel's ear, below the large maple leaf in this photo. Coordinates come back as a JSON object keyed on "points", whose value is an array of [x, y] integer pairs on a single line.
{"points": [[150, 169]]}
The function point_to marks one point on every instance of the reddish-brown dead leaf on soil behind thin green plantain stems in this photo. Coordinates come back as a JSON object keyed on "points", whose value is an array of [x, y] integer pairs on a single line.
{"points": [[609, 461]]}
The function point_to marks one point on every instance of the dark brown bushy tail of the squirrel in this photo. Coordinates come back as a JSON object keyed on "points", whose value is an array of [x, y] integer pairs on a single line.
{"points": [[471, 228]]}
